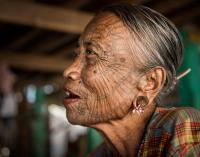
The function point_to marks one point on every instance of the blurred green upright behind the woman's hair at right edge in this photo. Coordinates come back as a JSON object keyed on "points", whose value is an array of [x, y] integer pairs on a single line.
{"points": [[189, 86]]}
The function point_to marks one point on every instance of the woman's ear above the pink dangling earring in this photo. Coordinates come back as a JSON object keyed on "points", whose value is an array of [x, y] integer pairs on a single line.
{"points": [[152, 82]]}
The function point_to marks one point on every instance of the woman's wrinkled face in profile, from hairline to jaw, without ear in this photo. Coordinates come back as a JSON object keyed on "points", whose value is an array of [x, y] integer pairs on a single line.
{"points": [[101, 81]]}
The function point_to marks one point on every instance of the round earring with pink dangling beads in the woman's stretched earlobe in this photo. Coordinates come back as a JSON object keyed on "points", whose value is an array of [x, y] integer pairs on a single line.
{"points": [[139, 104]]}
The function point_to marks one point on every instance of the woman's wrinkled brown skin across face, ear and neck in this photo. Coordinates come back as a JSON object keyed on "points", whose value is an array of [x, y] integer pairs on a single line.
{"points": [[106, 78]]}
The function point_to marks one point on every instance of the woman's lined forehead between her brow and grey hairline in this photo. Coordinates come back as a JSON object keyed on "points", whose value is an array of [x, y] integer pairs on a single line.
{"points": [[104, 29]]}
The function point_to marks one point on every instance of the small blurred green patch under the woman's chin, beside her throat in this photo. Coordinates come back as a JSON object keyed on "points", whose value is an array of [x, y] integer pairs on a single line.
{"points": [[94, 139]]}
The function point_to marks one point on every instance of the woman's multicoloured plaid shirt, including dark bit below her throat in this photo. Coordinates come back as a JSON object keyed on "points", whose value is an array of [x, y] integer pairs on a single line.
{"points": [[173, 132]]}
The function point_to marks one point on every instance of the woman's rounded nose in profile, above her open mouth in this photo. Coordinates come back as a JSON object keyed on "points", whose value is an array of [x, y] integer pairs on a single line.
{"points": [[73, 72]]}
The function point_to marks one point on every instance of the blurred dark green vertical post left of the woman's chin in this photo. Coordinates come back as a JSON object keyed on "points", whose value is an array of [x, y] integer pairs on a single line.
{"points": [[39, 129]]}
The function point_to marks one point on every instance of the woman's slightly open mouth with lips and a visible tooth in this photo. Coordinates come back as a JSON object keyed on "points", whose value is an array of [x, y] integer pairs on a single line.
{"points": [[70, 97]]}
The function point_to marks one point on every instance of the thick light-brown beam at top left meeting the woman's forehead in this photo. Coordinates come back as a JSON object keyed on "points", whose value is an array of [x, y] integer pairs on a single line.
{"points": [[43, 16]]}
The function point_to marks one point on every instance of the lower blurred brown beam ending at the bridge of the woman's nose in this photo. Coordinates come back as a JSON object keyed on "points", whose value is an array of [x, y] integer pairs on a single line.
{"points": [[35, 62]]}
